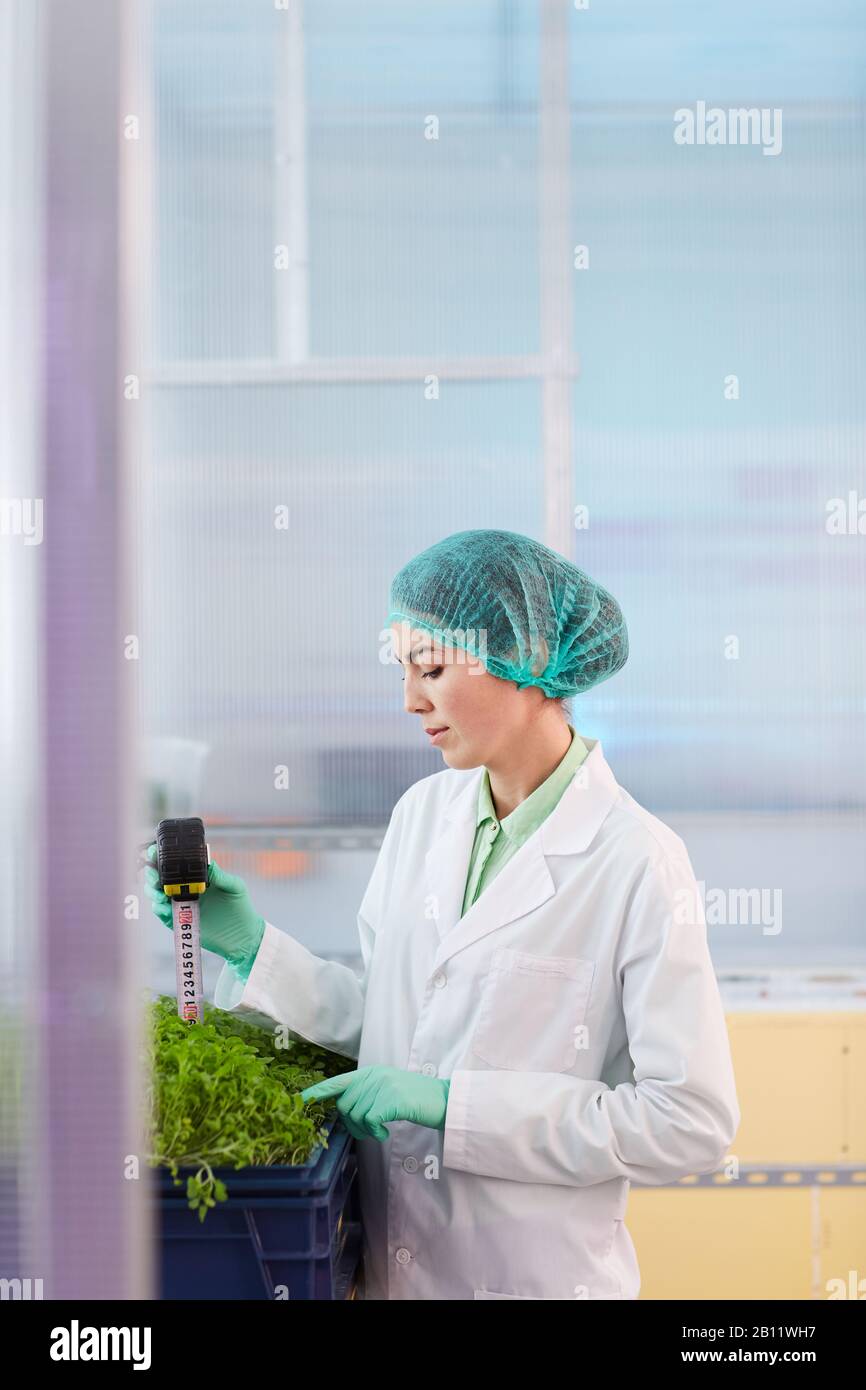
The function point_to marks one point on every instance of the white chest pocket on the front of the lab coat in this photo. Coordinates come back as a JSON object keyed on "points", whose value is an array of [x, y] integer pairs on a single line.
{"points": [[532, 1011]]}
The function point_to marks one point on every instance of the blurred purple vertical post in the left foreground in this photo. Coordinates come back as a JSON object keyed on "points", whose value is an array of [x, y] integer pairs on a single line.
{"points": [[90, 1220]]}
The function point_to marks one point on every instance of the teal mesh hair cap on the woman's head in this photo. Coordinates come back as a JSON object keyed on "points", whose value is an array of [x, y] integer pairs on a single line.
{"points": [[525, 611]]}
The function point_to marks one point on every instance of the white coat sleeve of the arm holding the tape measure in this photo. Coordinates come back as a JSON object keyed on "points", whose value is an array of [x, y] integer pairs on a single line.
{"points": [[316, 1000]]}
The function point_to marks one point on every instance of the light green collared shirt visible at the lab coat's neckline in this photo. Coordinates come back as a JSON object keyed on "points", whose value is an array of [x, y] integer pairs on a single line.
{"points": [[498, 840]]}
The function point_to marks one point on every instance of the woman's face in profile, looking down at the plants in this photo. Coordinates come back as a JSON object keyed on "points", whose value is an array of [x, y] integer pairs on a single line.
{"points": [[450, 690]]}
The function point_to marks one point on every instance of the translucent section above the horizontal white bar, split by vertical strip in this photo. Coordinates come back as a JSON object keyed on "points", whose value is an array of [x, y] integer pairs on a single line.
{"points": [[419, 223]]}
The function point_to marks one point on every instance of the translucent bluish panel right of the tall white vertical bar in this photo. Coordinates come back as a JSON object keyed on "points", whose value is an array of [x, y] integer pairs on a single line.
{"points": [[719, 416]]}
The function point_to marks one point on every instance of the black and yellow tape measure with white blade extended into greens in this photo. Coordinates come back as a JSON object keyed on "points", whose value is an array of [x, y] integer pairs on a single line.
{"points": [[183, 862]]}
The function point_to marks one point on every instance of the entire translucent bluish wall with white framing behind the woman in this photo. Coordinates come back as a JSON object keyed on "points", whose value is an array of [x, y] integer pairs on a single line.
{"points": [[358, 295]]}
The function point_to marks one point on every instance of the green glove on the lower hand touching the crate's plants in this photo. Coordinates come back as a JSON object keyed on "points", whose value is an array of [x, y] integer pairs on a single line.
{"points": [[373, 1096]]}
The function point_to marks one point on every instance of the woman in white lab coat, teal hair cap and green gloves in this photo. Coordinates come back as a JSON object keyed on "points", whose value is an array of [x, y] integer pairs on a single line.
{"points": [[539, 1022]]}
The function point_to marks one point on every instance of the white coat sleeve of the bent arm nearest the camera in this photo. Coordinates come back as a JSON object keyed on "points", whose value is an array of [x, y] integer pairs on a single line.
{"points": [[680, 1113]]}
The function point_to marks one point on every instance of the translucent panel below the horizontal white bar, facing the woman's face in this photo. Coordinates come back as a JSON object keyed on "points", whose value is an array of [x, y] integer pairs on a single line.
{"points": [[262, 643]]}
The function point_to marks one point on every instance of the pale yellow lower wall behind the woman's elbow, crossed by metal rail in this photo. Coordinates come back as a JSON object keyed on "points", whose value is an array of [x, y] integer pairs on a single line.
{"points": [[800, 1081]]}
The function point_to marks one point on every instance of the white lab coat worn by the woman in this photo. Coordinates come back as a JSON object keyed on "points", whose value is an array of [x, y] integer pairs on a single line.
{"points": [[575, 1010]]}
